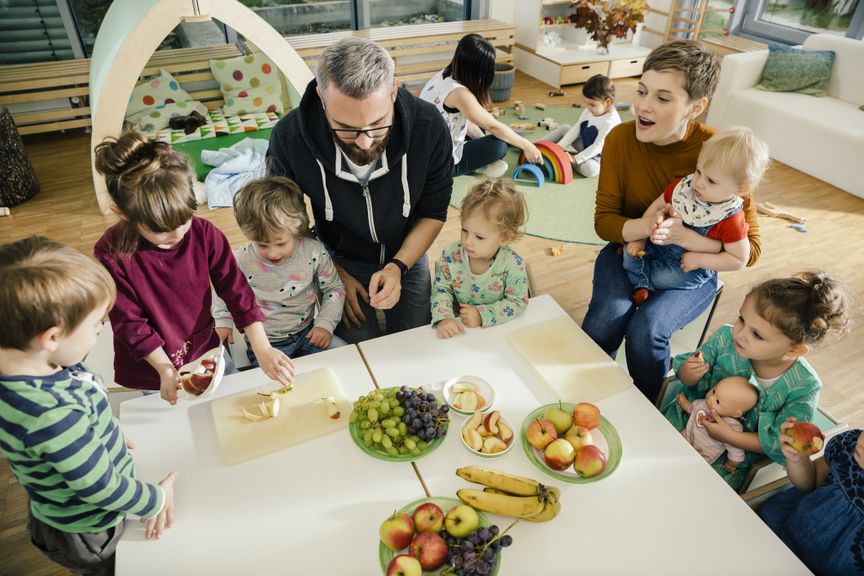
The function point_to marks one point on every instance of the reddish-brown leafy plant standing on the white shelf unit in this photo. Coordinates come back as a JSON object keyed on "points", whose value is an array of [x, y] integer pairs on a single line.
{"points": [[607, 20]]}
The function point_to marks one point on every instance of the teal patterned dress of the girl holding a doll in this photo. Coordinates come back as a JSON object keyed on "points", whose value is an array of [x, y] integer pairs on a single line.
{"points": [[795, 393]]}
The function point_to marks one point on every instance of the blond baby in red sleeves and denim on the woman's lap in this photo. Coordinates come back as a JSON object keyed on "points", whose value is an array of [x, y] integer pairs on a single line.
{"points": [[729, 167]]}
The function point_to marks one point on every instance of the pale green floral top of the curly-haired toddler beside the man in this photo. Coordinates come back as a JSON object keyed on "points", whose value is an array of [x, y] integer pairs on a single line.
{"points": [[499, 294]]}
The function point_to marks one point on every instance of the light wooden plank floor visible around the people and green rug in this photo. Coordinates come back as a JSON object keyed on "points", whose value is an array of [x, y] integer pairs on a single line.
{"points": [[66, 210]]}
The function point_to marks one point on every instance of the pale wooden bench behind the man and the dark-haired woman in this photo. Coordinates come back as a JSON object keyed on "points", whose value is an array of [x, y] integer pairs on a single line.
{"points": [[419, 50]]}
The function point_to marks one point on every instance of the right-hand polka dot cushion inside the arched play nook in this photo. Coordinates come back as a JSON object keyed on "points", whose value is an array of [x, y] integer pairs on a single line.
{"points": [[249, 84]]}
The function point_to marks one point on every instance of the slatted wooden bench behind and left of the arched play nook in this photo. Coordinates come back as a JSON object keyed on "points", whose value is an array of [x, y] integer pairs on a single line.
{"points": [[53, 96]]}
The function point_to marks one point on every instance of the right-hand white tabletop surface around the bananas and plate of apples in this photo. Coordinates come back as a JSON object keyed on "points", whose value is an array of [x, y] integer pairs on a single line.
{"points": [[663, 511]]}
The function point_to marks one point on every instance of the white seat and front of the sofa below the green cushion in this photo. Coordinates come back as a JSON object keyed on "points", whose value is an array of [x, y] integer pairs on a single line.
{"points": [[823, 137]]}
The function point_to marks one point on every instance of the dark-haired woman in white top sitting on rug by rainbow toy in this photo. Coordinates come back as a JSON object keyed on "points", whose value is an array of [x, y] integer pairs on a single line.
{"points": [[461, 94]]}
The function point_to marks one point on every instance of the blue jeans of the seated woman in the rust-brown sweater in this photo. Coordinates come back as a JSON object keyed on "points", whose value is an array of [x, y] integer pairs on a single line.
{"points": [[612, 316]]}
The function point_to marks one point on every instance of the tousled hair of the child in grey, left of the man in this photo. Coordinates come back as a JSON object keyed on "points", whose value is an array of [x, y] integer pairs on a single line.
{"points": [[266, 209]]}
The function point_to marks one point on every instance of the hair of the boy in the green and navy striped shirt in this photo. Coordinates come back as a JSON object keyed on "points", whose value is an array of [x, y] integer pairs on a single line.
{"points": [[45, 285]]}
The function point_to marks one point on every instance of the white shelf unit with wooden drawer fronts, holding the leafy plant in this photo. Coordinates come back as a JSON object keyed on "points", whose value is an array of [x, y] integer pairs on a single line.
{"points": [[573, 59]]}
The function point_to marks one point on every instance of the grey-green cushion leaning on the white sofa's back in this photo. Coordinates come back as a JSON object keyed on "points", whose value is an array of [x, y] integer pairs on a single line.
{"points": [[795, 70]]}
